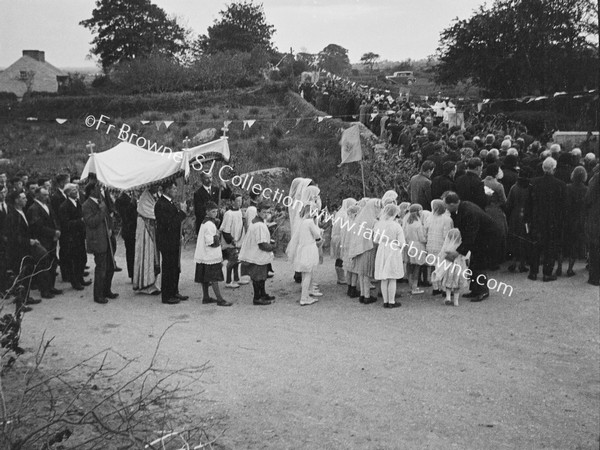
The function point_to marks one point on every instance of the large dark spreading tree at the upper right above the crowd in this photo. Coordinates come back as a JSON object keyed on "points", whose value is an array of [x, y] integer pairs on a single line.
{"points": [[520, 47]]}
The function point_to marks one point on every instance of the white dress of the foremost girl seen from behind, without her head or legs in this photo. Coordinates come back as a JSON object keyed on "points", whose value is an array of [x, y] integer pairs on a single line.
{"points": [[389, 263]]}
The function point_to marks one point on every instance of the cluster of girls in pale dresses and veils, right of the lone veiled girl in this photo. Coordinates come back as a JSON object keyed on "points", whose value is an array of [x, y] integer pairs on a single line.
{"points": [[378, 240]]}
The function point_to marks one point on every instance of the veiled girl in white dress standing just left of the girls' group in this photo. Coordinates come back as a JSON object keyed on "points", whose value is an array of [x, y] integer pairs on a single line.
{"points": [[303, 251]]}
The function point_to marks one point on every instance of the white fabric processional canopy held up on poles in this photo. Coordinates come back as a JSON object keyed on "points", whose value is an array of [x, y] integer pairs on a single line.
{"points": [[127, 166]]}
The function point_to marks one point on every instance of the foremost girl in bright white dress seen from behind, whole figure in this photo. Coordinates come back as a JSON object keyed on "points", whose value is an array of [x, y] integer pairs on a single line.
{"points": [[389, 264]]}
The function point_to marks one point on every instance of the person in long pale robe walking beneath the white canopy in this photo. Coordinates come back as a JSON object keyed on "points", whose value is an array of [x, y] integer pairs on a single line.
{"points": [[146, 265]]}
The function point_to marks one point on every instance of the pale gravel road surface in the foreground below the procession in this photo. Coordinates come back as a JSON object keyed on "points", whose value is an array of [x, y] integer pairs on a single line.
{"points": [[510, 372]]}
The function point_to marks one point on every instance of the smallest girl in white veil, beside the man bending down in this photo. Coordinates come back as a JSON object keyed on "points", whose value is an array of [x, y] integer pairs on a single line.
{"points": [[449, 274]]}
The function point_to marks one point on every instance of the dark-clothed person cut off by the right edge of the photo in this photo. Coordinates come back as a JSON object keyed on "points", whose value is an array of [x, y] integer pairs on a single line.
{"points": [[592, 229]]}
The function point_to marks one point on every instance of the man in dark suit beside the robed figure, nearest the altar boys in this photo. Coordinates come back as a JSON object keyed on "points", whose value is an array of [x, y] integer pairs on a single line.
{"points": [[168, 241]]}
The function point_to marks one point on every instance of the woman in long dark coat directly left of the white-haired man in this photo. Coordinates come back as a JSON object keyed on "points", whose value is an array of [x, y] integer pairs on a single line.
{"points": [[518, 245]]}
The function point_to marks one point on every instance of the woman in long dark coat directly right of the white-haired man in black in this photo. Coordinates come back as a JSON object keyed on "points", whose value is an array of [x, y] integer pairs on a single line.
{"points": [[574, 237]]}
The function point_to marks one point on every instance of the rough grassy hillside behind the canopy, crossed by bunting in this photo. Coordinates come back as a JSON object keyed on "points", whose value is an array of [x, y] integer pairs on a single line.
{"points": [[286, 133]]}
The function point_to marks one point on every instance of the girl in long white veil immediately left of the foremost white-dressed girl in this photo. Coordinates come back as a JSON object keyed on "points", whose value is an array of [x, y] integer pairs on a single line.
{"points": [[361, 249]]}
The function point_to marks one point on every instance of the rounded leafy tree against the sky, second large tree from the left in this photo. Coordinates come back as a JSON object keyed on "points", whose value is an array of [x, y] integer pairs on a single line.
{"points": [[242, 27]]}
